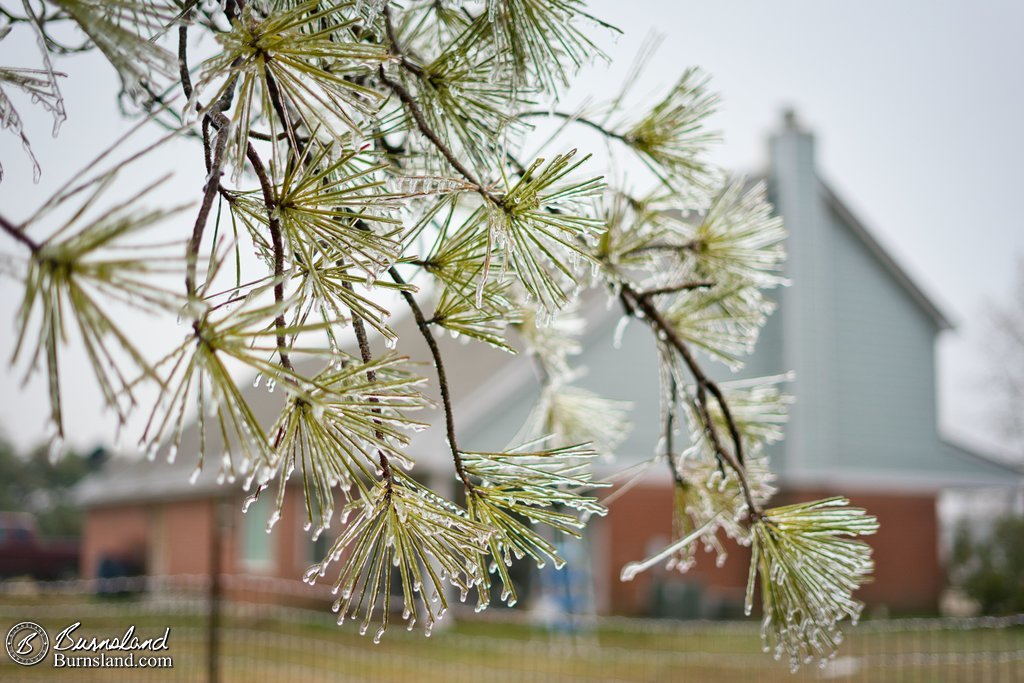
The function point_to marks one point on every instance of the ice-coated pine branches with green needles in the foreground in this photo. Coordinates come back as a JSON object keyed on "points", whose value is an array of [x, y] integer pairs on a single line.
{"points": [[367, 146]]}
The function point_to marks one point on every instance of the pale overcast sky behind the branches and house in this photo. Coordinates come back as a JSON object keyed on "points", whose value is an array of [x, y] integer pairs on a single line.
{"points": [[916, 107]]}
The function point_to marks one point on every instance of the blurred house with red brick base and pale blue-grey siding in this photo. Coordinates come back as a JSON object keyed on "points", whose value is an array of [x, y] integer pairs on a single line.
{"points": [[859, 333]]}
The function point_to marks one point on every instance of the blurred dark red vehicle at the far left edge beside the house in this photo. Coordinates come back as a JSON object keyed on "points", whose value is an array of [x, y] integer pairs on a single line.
{"points": [[23, 553]]}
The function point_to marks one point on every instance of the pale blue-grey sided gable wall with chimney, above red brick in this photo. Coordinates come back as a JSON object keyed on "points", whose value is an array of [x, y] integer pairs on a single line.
{"points": [[861, 336]]}
